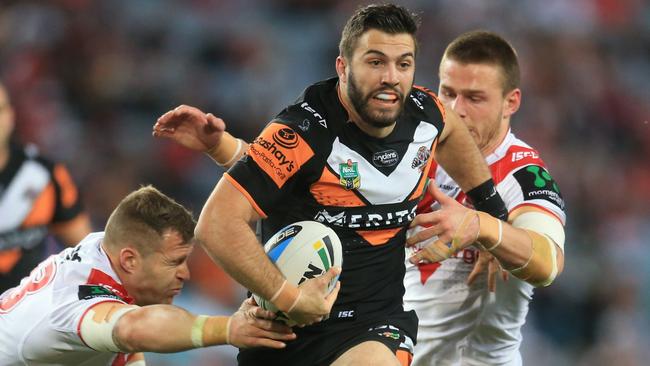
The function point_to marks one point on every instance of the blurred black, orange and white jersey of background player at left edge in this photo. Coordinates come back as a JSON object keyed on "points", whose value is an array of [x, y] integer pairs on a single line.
{"points": [[34, 193]]}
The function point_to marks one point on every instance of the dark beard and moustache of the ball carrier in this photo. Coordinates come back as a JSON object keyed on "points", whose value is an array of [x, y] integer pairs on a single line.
{"points": [[360, 102]]}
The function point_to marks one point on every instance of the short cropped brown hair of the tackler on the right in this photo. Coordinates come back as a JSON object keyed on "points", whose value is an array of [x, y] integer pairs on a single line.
{"points": [[485, 47]]}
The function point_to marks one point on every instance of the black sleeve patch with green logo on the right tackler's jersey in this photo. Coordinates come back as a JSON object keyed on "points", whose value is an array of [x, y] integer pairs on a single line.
{"points": [[537, 184]]}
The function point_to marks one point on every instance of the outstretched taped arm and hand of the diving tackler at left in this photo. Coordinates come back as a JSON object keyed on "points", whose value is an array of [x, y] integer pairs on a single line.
{"points": [[116, 327]]}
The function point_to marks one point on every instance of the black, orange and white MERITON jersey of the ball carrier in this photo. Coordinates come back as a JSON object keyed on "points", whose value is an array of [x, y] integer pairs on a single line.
{"points": [[311, 163]]}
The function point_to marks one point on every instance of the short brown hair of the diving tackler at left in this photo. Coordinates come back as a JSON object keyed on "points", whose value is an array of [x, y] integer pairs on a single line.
{"points": [[142, 217]]}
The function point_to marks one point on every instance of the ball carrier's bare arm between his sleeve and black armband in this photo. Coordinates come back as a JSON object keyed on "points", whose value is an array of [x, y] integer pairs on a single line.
{"points": [[459, 156]]}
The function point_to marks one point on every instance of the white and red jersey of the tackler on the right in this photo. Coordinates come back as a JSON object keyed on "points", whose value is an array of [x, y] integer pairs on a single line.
{"points": [[468, 325]]}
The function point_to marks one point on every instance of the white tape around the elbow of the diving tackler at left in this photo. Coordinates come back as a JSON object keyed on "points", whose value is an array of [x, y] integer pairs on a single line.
{"points": [[99, 335]]}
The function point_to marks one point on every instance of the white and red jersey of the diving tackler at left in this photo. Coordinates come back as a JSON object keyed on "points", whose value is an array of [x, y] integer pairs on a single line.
{"points": [[40, 318]]}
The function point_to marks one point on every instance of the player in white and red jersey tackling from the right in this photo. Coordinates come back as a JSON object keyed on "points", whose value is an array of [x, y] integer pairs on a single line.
{"points": [[463, 323]]}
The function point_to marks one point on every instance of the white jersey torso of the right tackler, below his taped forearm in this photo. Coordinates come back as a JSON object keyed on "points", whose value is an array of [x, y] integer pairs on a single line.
{"points": [[461, 325]]}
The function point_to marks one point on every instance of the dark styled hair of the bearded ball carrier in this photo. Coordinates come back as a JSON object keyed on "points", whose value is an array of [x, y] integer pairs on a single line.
{"points": [[388, 18]]}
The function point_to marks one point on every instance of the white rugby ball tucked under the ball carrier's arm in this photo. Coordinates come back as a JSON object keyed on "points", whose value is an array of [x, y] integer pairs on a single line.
{"points": [[301, 251]]}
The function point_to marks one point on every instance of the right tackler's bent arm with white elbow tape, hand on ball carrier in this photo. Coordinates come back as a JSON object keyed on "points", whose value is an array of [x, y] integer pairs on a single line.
{"points": [[530, 248]]}
